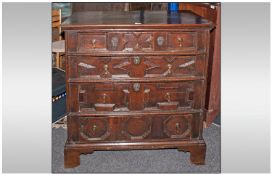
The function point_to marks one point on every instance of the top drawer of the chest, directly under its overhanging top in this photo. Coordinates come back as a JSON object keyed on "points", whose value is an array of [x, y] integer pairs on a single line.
{"points": [[126, 42]]}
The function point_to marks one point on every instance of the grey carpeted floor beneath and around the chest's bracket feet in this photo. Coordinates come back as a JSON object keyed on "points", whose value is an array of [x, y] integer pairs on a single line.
{"points": [[139, 161]]}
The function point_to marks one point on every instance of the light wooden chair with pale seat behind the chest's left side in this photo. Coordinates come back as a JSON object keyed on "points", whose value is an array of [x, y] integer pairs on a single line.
{"points": [[58, 47]]}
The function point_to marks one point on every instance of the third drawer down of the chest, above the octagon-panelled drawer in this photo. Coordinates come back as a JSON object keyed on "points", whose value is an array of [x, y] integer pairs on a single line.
{"points": [[136, 96]]}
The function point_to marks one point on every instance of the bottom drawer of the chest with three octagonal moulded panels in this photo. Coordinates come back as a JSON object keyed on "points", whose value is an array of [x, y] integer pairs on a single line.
{"points": [[134, 128]]}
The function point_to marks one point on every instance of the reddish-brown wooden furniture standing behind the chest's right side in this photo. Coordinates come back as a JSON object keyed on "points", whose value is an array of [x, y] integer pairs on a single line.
{"points": [[211, 11]]}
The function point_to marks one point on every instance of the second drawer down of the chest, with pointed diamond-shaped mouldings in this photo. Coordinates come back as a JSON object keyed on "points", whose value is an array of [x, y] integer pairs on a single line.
{"points": [[136, 66]]}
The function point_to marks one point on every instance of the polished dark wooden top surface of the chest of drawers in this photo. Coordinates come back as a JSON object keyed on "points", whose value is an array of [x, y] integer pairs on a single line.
{"points": [[135, 19]]}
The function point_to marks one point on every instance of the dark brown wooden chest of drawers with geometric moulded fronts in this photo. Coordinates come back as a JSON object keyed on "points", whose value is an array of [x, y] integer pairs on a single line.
{"points": [[135, 80]]}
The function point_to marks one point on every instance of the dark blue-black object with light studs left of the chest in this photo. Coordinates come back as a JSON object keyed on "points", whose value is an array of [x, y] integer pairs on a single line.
{"points": [[58, 94]]}
